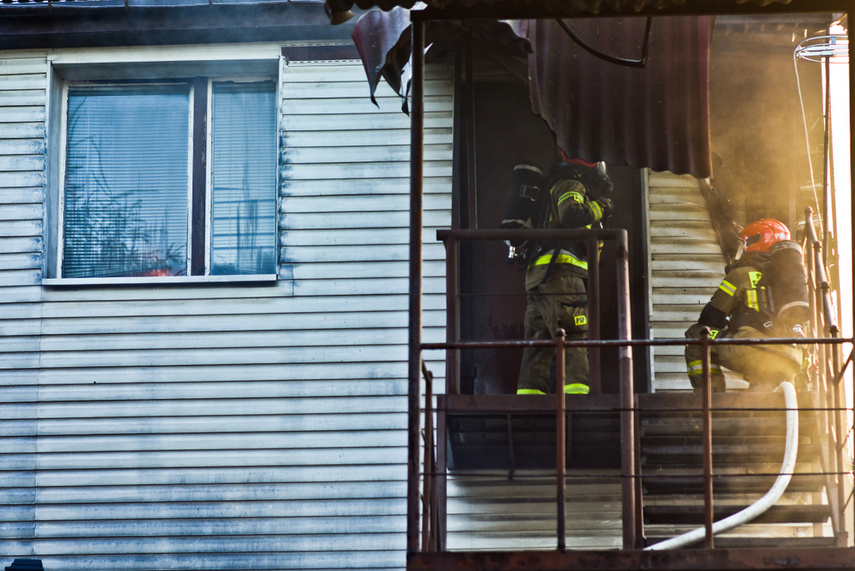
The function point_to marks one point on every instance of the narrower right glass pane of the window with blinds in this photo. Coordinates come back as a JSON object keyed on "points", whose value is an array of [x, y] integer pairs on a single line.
{"points": [[243, 148]]}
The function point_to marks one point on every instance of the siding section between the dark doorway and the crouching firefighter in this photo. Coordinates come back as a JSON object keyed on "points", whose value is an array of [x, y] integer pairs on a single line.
{"points": [[686, 266]]}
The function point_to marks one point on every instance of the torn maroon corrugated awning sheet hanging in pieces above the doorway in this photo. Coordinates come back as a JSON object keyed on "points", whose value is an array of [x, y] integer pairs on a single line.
{"points": [[610, 89]]}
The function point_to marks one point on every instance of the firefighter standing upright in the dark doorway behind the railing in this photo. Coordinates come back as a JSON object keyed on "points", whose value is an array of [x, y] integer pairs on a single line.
{"points": [[555, 276]]}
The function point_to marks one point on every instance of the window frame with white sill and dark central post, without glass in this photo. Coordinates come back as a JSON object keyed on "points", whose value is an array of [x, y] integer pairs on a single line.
{"points": [[199, 198]]}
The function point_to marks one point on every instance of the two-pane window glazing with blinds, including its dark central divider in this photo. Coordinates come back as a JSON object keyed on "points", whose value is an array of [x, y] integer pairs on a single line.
{"points": [[170, 179]]}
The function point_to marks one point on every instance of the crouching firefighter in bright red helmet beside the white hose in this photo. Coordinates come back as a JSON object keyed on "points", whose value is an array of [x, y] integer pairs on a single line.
{"points": [[764, 294]]}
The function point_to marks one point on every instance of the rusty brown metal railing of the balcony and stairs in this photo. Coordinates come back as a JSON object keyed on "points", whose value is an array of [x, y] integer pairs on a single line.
{"points": [[825, 343]]}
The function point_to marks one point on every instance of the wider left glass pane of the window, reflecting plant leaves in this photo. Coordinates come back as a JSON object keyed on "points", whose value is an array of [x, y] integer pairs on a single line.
{"points": [[126, 181]]}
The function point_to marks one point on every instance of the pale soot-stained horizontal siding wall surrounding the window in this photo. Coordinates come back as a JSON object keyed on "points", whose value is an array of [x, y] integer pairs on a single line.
{"points": [[223, 427]]}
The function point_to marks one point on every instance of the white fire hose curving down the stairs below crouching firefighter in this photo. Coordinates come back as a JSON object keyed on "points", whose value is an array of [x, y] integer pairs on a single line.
{"points": [[768, 500]]}
